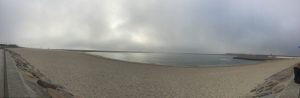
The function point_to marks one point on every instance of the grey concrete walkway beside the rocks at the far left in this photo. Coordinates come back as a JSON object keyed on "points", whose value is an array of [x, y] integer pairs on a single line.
{"points": [[12, 84]]}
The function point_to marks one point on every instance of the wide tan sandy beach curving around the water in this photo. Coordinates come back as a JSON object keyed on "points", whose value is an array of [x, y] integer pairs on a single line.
{"points": [[97, 77]]}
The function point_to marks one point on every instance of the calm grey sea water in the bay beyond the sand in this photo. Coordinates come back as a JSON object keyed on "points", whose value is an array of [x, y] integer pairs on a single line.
{"points": [[176, 59]]}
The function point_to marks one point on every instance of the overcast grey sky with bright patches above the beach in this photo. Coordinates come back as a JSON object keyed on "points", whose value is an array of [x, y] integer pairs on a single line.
{"points": [[197, 26]]}
